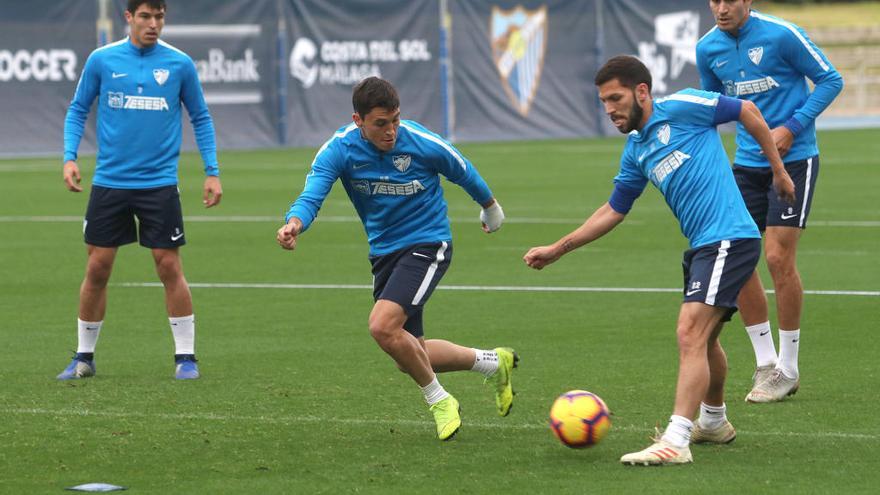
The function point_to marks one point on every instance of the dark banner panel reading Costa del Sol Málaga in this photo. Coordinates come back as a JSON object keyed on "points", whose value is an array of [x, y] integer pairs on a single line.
{"points": [[333, 45]]}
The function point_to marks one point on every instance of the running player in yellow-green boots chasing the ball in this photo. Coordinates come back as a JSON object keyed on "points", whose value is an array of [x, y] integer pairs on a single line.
{"points": [[391, 169]]}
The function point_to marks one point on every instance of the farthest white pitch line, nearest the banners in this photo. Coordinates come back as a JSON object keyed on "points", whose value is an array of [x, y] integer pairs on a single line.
{"points": [[355, 219]]}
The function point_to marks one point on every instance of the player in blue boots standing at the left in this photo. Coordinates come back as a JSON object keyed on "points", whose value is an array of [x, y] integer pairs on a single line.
{"points": [[140, 83]]}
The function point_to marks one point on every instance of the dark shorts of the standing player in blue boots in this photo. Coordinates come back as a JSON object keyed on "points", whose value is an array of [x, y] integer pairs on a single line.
{"points": [[110, 217]]}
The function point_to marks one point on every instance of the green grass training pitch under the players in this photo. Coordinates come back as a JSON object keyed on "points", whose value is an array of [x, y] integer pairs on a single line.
{"points": [[296, 397]]}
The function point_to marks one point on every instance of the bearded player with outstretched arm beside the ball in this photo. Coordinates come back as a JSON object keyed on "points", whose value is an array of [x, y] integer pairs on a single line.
{"points": [[673, 143]]}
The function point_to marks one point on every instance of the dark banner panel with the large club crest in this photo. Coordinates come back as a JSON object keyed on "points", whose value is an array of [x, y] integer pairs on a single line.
{"points": [[523, 69]]}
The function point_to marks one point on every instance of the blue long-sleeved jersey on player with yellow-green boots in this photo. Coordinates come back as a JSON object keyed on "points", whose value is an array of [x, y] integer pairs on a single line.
{"points": [[397, 194]]}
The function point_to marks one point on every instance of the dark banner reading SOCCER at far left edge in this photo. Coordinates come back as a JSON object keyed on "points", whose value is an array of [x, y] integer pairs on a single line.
{"points": [[43, 45]]}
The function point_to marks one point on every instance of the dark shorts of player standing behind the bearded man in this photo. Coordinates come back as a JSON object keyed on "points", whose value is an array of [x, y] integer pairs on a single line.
{"points": [[756, 186]]}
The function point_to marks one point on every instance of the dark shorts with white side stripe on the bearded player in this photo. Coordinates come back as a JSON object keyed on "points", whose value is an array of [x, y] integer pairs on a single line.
{"points": [[714, 274]]}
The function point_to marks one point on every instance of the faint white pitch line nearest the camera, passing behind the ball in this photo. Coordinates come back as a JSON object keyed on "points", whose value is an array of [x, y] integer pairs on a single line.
{"points": [[501, 425]]}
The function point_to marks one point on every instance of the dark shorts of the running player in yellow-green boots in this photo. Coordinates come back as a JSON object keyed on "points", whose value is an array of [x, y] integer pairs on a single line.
{"points": [[408, 277]]}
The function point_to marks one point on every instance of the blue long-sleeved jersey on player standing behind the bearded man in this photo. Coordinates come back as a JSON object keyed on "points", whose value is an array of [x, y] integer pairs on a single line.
{"points": [[767, 63]]}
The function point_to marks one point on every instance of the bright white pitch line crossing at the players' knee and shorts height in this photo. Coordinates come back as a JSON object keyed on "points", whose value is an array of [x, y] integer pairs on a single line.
{"points": [[493, 288]]}
